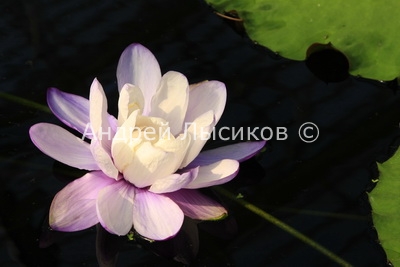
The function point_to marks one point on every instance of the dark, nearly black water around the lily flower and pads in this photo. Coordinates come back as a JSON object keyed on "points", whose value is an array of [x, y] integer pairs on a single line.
{"points": [[319, 188]]}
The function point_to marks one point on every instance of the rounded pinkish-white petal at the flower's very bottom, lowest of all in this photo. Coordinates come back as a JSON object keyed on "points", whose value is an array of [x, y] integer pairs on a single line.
{"points": [[156, 216]]}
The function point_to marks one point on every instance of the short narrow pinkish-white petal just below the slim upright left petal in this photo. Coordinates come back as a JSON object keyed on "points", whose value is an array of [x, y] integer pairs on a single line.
{"points": [[103, 159]]}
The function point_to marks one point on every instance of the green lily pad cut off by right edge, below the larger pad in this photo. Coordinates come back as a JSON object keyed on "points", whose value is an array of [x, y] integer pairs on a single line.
{"points": [[385, 202]]}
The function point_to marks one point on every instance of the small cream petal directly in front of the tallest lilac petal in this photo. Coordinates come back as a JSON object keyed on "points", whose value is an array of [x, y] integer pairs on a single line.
{"points": [[130, 99]]}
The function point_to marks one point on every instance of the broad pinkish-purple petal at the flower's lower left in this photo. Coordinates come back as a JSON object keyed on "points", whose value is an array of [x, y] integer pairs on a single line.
{"points": [[74, 207]]}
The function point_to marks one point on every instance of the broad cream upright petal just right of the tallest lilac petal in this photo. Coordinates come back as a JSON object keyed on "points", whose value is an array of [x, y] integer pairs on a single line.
{"points": [[171, 100]]}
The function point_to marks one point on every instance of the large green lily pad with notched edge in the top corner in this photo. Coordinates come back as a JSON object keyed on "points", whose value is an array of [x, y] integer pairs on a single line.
{"points": [[367, 32]]}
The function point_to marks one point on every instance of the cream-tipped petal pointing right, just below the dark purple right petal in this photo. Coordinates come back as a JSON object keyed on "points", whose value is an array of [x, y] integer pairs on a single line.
{"points": [[214, 174]]}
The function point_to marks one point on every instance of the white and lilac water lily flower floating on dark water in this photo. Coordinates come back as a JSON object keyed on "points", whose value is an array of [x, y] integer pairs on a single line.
{"points": [[144, 166]]}
